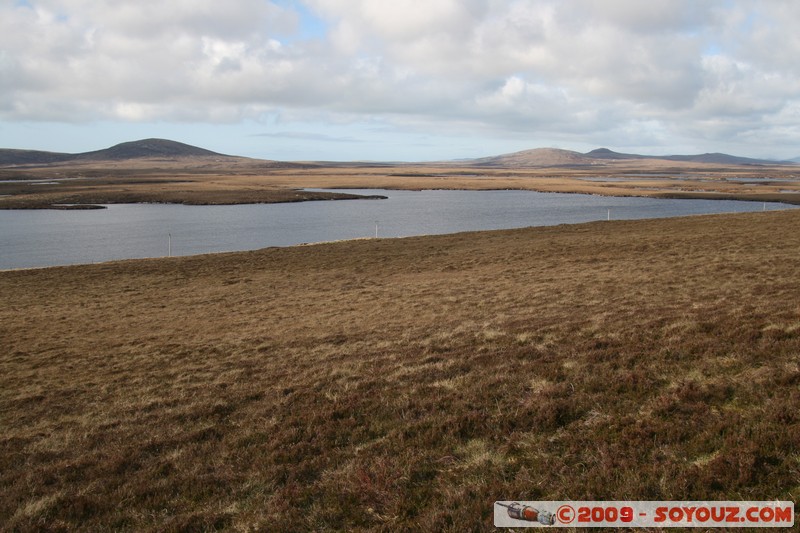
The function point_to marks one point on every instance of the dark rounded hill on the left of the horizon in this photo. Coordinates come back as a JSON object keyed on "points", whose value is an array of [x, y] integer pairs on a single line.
{"points": [[146, 148]]}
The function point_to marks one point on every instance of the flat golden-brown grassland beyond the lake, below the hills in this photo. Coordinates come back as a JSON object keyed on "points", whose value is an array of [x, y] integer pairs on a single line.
{"points": [[232, 181]]}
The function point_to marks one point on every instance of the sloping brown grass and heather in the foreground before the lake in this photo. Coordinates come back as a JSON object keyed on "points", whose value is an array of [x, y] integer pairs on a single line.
{"points": [[404, 384]]}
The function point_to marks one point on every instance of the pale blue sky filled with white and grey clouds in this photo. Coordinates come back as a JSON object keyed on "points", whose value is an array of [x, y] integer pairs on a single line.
{"points": [[403, 80]]}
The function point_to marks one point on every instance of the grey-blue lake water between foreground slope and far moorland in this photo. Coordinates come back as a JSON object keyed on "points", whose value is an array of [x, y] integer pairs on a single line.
{"points": [[34, 238]]}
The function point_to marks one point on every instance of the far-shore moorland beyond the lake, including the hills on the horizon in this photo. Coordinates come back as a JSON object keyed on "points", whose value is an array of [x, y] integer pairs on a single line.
{"points": [[162, 171]]}
